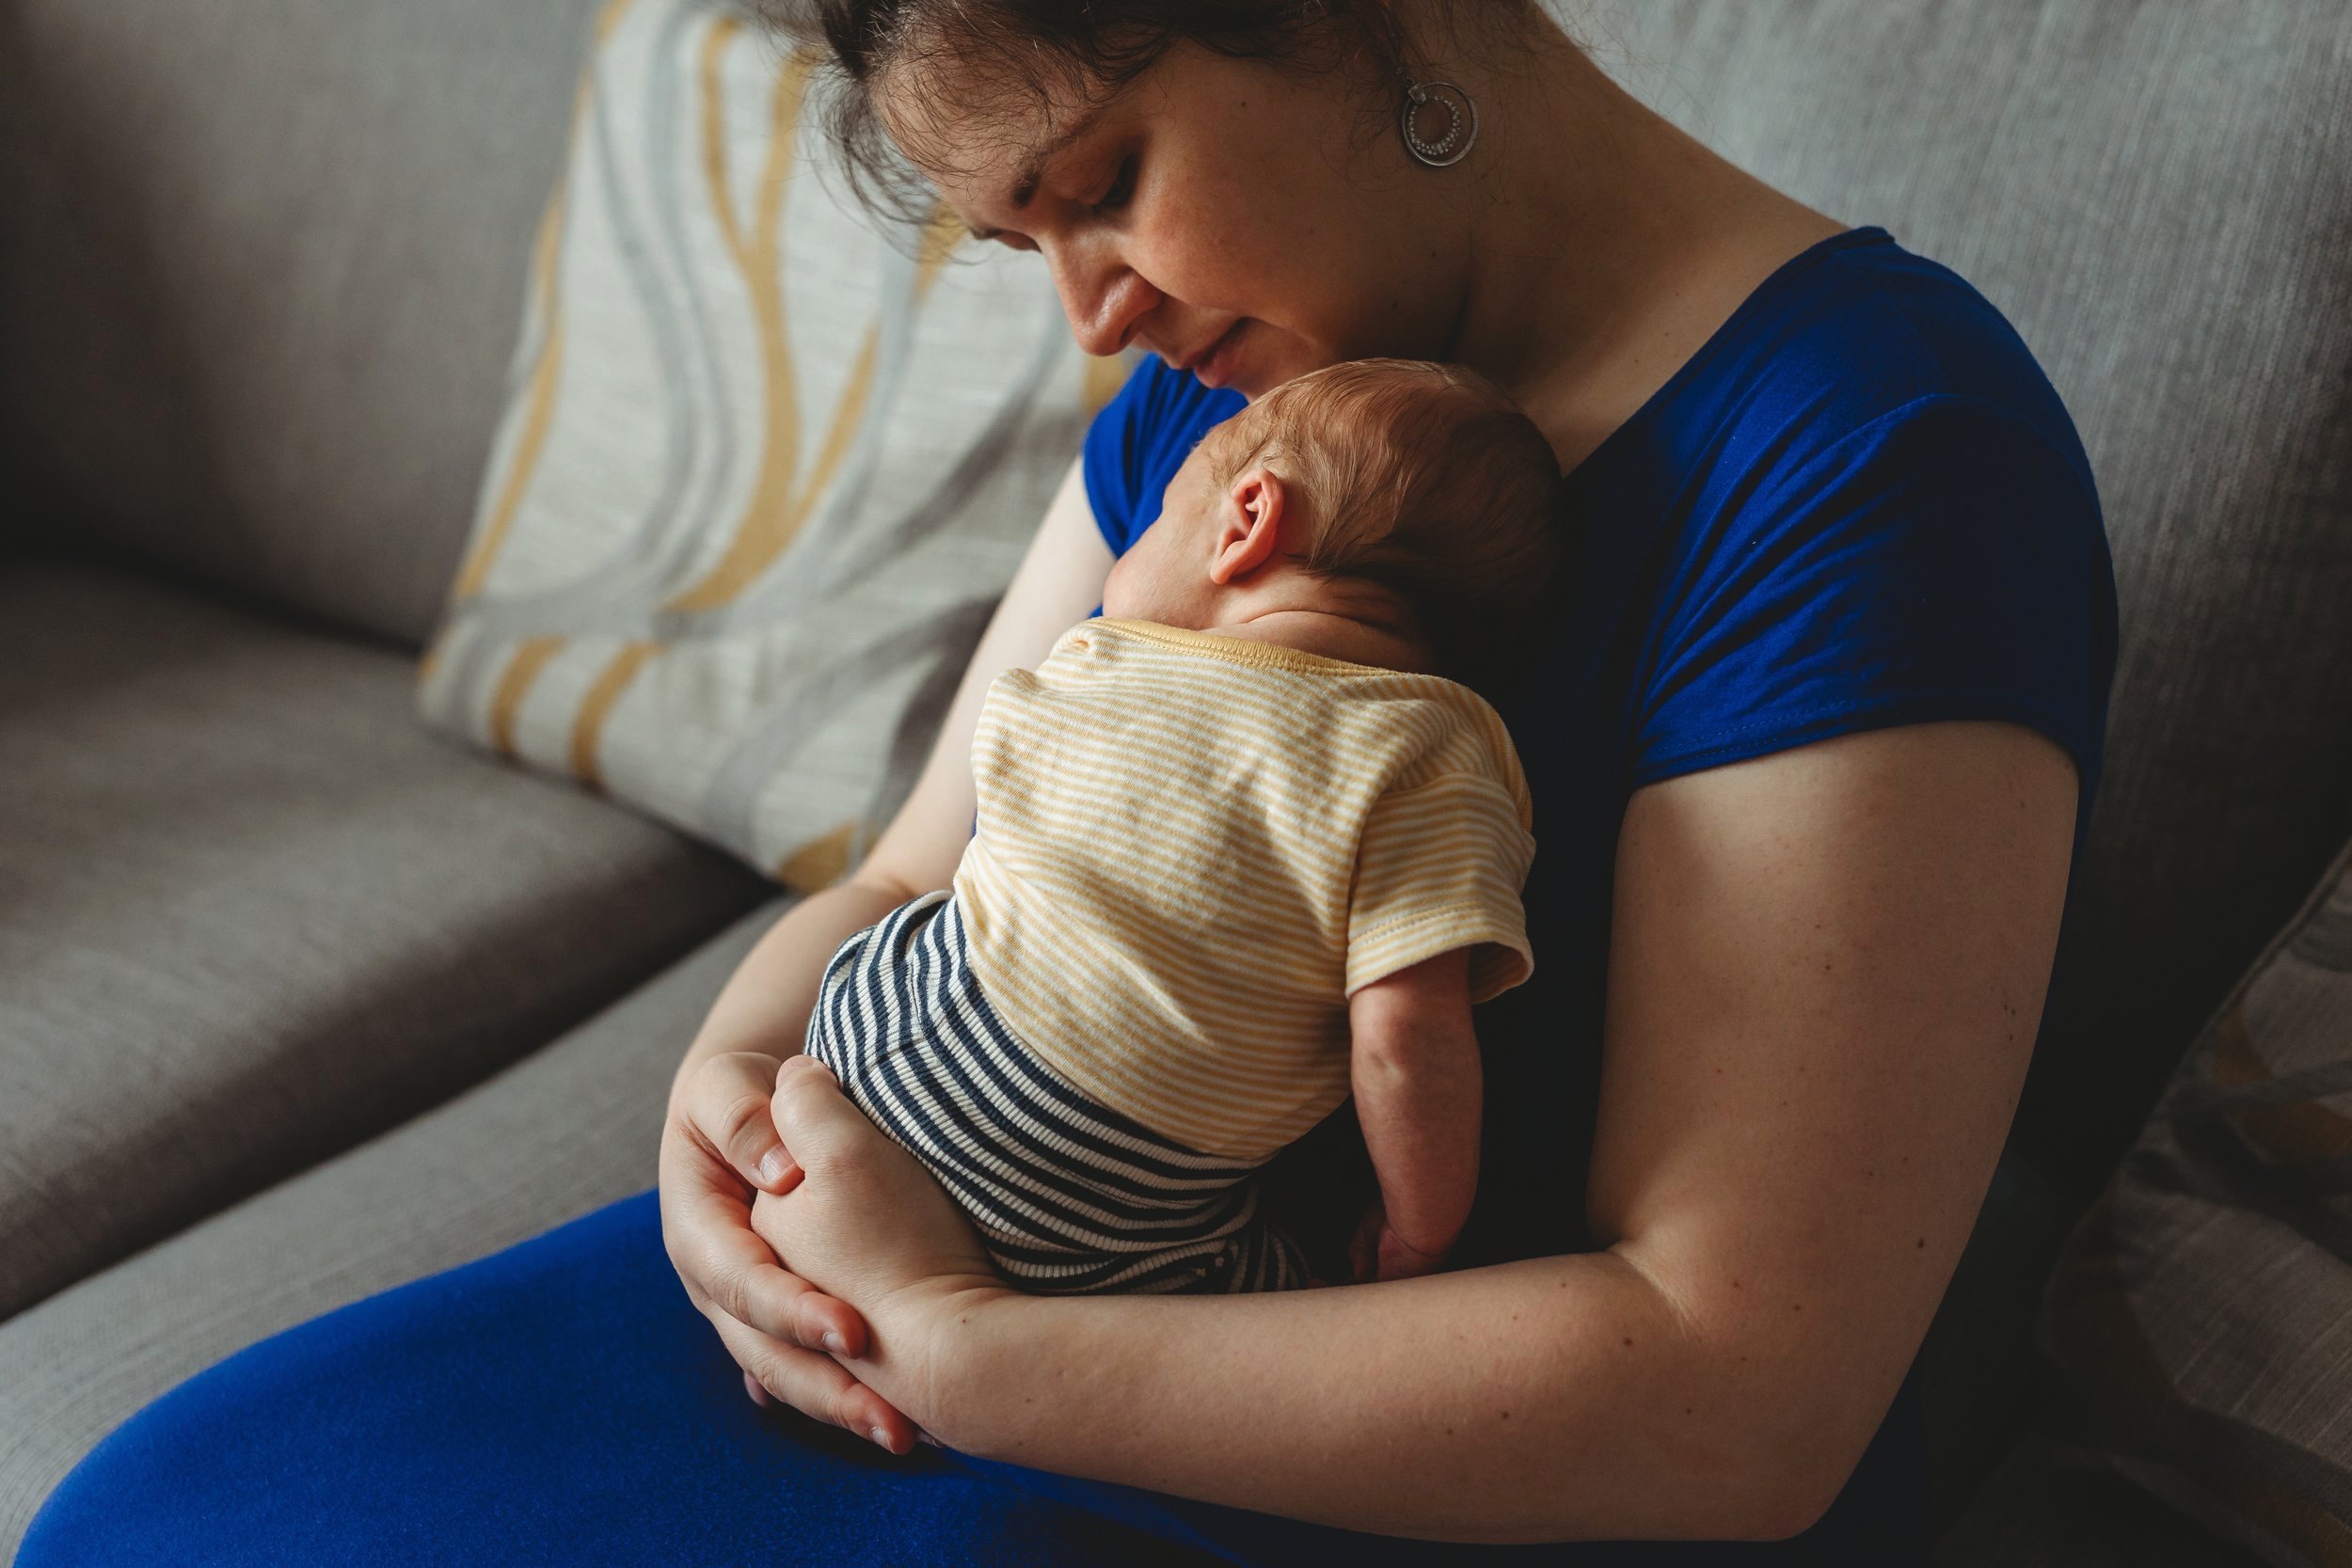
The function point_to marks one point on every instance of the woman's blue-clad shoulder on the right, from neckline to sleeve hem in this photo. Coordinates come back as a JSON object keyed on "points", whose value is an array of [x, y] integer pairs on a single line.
{"points": [[1869, 507]]}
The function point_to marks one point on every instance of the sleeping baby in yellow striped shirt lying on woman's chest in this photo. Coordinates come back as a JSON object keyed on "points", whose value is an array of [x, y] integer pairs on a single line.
{"points": [[1245, 843]]}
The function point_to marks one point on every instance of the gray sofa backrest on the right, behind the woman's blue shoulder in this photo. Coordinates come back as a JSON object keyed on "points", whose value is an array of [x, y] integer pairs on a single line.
{"points": [[2160, 196]]}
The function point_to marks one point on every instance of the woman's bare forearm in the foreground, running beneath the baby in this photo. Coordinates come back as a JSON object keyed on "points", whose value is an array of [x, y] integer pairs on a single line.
{"points": [[1379, 1409]]}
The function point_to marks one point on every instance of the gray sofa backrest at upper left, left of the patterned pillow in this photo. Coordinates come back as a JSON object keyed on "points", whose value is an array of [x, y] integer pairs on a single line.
{"points": [[260, 274]]}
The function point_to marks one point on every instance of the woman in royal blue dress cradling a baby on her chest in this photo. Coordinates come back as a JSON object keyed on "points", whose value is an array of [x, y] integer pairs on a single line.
{"points": [[1812, 753]]}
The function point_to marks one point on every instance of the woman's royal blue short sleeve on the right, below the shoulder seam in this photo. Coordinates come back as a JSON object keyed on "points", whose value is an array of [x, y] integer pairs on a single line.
{"points": [[1935, 563]]}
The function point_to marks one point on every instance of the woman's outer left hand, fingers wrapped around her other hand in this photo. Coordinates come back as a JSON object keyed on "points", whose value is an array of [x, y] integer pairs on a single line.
{"points": [[719, 1151]]}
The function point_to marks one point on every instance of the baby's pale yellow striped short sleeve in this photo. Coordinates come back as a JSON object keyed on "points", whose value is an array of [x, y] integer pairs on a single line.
{"points": [[1441, 866]]}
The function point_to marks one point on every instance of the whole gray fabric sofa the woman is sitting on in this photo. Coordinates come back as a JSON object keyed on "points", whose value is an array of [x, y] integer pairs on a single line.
{"points": [[300, 1000]]}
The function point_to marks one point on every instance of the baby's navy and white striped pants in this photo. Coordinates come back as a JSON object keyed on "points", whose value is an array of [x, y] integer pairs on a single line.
{"points": [[1069, 1195]]}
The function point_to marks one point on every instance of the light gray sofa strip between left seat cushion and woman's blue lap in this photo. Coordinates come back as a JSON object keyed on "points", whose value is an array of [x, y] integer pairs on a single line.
{"points": [[554, 1137]]}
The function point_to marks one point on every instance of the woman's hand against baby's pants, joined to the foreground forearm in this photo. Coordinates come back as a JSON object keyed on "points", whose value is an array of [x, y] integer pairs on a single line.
{"points": [[871, 1228]]}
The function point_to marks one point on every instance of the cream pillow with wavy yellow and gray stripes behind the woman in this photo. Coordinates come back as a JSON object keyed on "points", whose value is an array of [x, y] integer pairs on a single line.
{"points": [[766, 464]]}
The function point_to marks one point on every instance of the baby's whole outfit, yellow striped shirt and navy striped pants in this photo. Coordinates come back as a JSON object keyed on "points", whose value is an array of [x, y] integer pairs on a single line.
{"points": [[1191, 850]]}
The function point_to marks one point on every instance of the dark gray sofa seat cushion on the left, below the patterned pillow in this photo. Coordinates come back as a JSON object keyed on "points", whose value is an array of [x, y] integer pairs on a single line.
{"points": [[255, 911]]}
